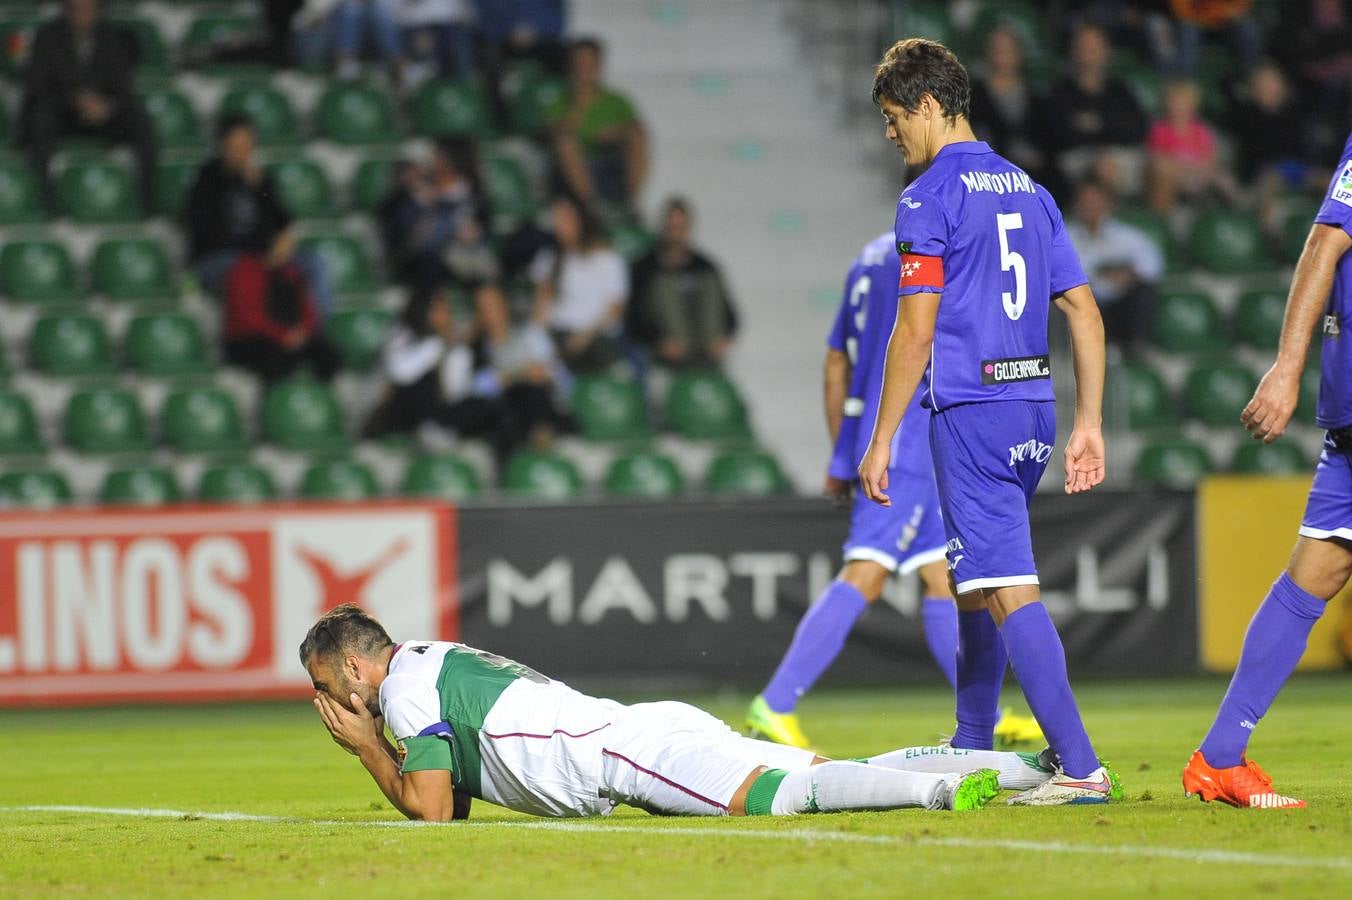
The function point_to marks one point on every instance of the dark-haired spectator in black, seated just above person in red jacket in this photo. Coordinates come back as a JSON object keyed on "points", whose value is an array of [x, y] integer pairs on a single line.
{"points": [[235, 209]]}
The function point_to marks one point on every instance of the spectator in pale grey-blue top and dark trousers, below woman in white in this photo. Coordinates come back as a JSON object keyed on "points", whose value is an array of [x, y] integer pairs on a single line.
{"points": [[525, 372]]}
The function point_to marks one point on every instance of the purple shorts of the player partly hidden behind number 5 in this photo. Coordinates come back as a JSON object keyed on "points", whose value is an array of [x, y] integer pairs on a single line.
{"points": [[904, 537]]}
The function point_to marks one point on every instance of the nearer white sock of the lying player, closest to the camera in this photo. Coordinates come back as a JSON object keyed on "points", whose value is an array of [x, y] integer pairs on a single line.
{"points": [[835, 787]]}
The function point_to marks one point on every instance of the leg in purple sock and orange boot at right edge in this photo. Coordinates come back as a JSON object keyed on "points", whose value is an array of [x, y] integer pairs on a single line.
{"points": [[1276, 641]]}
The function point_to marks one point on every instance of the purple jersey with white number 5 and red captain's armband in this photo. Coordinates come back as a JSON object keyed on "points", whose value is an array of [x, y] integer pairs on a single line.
{"points": [[980, 232]]}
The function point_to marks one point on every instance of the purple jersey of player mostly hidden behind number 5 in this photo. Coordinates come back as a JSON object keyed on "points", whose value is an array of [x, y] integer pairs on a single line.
{"points": [[862, 332]]}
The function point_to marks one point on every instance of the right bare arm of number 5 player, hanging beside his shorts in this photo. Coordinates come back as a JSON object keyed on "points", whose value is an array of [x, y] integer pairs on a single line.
{"points": [[1085, 455]]}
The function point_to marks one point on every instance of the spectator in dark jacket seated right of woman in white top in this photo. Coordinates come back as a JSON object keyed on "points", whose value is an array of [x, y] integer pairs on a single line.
{"points": [[681, 306]]}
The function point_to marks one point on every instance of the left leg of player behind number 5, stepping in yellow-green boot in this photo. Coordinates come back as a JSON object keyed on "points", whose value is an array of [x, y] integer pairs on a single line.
{"points": [[870, 557]]}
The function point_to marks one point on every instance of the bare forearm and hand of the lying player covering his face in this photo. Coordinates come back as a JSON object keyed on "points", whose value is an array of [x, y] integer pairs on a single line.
{"points": [[418, 795]]}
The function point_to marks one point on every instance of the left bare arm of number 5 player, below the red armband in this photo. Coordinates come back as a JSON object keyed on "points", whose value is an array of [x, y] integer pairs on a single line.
{"points": [[908, 355]]}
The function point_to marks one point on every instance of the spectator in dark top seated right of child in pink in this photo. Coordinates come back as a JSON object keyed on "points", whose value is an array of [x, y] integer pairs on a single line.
{"points": [[1266, 125]]}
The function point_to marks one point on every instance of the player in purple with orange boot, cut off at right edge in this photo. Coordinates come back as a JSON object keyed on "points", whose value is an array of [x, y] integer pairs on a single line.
{"points": [[1322, 563]]}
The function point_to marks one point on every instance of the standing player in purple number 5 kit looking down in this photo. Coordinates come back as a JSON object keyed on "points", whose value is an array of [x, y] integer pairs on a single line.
{"points": [[984, 256]]}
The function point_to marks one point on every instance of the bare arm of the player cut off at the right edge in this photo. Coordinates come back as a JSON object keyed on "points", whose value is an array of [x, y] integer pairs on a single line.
{"points": [[1274, 403]]}
